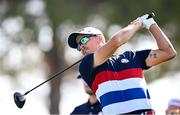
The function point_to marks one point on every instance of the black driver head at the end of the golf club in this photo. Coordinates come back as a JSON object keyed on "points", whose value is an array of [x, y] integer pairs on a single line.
{"points": [[19, 99]]}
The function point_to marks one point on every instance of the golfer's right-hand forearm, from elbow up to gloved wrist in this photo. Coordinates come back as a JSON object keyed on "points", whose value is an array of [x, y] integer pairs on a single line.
{"points": [[162, 40]]}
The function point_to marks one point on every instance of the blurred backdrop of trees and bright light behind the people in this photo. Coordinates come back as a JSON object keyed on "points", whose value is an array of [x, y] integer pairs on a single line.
{"points": [[33, 46]]}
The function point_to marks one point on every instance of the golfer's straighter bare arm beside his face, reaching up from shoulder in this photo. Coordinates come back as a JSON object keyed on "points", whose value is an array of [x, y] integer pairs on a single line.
{"points": [[121, 37]]}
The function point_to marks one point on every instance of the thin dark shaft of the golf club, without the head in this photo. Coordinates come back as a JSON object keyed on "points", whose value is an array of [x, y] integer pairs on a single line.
{"points": [[54, 76]]}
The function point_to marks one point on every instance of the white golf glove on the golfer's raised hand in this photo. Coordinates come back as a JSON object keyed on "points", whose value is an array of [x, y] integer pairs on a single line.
{"points": [[147, 22]]}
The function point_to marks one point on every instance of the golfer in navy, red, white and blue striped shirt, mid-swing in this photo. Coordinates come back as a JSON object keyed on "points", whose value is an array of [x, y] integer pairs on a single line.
{"points": [[118, 80]]}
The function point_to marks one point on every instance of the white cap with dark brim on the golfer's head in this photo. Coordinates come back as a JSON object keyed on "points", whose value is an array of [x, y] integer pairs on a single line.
{"points": [[87, 30]]}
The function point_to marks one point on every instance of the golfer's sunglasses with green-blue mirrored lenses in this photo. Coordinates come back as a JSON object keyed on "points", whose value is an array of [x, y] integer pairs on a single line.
{"points": [[84, 40]]}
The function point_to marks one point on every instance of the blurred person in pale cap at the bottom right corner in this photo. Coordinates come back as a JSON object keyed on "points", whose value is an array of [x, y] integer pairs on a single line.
{"points": [[173, 107]]}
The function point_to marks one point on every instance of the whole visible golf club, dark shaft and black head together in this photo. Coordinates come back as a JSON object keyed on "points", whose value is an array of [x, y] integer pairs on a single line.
{"points": [[20, 99]]}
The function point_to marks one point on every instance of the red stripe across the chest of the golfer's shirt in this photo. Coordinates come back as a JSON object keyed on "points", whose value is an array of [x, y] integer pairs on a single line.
{"points": [[112, 75]]}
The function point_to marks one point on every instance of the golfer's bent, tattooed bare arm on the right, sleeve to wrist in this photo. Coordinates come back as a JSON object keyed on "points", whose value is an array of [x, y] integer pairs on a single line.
{"points": [[165, 49]]}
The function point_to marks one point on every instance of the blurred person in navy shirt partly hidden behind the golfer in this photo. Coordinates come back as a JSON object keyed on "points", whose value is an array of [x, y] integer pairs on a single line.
{"points": [[92, 106]]}
